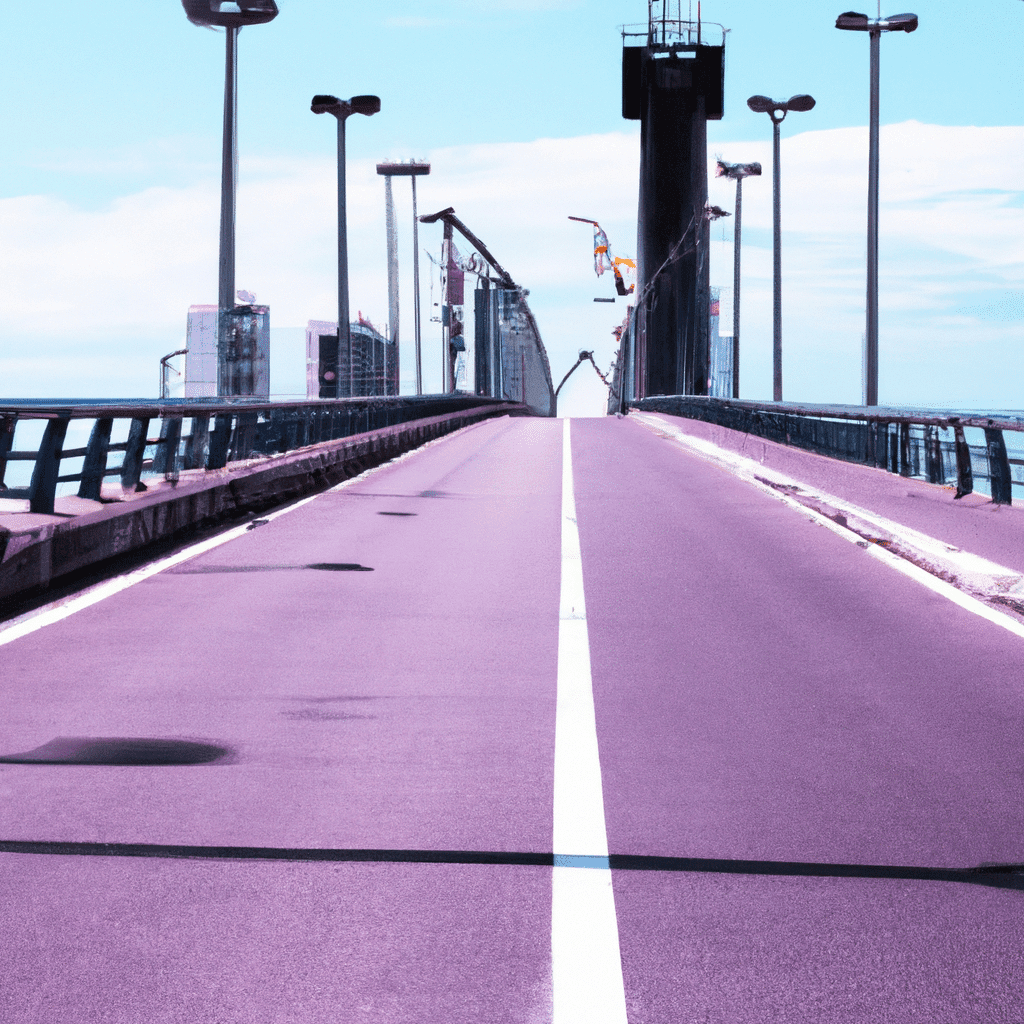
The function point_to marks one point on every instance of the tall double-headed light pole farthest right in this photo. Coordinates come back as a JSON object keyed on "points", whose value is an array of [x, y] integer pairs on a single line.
{"points": [[851, 22]]}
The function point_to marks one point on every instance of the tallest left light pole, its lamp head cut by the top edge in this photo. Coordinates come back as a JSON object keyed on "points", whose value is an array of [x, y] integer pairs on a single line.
{"points": [[232, 18]]}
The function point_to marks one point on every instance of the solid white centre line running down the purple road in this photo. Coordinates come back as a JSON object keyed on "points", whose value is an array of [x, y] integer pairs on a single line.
{"points": [[586, 964]]}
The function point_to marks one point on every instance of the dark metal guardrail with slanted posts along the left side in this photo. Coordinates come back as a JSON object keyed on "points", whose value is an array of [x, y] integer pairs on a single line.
{"points": [[204, 435]]}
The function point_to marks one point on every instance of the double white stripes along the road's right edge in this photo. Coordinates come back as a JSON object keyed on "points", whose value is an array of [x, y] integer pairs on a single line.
{"points": [[750, 472]]}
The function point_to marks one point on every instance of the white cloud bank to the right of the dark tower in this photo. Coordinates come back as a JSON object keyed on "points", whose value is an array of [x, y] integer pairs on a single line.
{"points": [[952, 236]]}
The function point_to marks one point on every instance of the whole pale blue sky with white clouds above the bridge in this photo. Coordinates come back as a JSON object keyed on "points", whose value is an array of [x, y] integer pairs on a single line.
{"points": [[112, 129]]}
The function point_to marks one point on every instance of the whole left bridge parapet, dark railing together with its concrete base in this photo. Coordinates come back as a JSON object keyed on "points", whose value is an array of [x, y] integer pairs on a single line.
{"points": [[38, 549]]}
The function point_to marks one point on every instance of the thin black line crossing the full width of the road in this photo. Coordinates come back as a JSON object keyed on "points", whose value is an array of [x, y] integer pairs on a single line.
{"points": [[995, 876]]}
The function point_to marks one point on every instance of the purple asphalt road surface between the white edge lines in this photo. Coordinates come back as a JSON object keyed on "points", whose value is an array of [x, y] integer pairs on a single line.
{"points": [[351, 804]]}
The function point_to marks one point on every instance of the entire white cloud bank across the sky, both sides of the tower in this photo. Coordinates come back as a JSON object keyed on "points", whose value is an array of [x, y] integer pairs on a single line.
{"points": [[121, 278]]}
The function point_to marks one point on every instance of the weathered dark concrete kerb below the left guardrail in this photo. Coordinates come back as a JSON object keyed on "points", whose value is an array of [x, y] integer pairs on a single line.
{"points": [[32, 559]]}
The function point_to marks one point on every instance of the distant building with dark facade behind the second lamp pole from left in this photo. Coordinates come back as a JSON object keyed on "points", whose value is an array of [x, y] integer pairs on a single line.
{"points": [[375, 364]]}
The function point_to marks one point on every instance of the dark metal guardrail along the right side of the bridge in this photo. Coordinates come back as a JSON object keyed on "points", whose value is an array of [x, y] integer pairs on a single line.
{"points": [[927, 444]]}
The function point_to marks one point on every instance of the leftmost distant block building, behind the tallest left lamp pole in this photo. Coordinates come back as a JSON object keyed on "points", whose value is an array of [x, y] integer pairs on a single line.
{"points": [[246, 369]]}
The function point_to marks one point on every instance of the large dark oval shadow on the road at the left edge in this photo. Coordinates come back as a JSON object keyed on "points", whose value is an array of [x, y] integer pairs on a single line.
{"points": [[132, 751]]}
